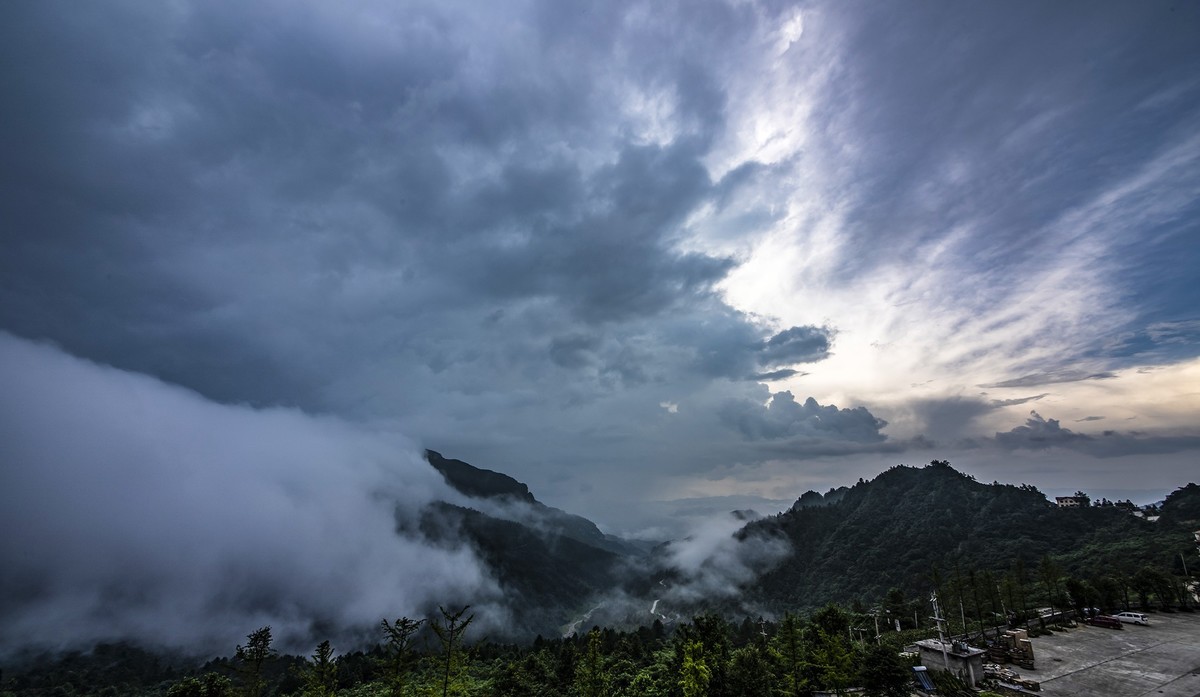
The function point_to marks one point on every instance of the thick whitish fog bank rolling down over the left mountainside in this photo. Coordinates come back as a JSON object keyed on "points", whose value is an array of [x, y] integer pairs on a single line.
{"points": [[149, 514]]}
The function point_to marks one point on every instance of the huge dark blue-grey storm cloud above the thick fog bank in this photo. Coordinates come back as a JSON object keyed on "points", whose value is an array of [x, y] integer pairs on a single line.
{"points": [[278, 217]]}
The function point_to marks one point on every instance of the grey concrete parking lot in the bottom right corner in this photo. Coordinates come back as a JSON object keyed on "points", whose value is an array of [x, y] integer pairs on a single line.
{"points": [[1157, 660]]}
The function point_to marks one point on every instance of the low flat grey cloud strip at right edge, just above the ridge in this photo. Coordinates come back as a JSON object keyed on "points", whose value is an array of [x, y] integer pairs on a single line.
{"points": [[1040, 434]]}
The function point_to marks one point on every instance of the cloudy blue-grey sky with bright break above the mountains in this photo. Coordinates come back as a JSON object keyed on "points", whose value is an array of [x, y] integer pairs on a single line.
{"points": [[655, 260]]}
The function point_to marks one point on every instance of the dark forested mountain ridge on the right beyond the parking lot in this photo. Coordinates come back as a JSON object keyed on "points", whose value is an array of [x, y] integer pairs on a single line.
{"points": [[910, 527]]}
